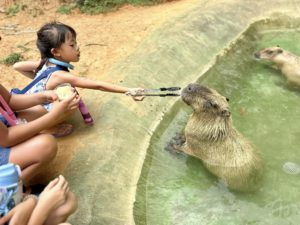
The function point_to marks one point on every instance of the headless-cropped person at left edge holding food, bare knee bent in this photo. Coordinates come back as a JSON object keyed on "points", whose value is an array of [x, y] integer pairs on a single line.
{"points": [[23, 144]]}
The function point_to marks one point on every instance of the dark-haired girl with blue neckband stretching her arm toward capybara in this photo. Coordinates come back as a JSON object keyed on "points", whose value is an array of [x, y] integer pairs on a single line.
{"points": [[57, 45]]}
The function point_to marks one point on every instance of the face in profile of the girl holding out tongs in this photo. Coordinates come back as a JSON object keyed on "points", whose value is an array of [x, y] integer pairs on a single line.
{"points": [[68, 51]]}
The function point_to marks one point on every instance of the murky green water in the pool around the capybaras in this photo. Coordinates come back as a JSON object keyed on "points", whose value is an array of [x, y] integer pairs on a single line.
{"points": [[177, 189]]}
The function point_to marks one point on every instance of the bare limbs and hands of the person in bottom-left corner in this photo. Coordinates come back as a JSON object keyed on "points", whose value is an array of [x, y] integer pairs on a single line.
{"points": [[55, 204]]}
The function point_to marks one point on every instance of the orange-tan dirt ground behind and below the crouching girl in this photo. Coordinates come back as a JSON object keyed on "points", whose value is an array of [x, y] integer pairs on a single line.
{"points": [[104, 40]]}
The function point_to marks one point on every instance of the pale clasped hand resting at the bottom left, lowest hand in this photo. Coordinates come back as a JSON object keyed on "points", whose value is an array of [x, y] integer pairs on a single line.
{"points": [[55, 194]]}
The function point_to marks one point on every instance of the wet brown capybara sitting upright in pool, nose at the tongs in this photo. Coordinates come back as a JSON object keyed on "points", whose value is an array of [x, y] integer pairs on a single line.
{"points": [[210, 136]]}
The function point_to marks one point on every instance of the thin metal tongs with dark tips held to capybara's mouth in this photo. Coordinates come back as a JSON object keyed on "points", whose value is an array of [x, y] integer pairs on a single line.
{"points": [[160, 92]]}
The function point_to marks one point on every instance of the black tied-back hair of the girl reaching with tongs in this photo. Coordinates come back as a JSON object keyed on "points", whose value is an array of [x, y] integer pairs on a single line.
{"points": [[51, 35]]}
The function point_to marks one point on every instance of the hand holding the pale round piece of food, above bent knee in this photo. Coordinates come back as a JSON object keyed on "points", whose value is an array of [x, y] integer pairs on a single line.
{"points": [[65, 108]]}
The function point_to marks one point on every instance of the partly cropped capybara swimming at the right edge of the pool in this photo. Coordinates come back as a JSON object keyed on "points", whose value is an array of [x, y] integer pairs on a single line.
{"points": [[287, 63]]}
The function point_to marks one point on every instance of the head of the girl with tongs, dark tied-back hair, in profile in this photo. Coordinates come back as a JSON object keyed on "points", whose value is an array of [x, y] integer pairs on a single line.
{"points": [[58, 40]]}
